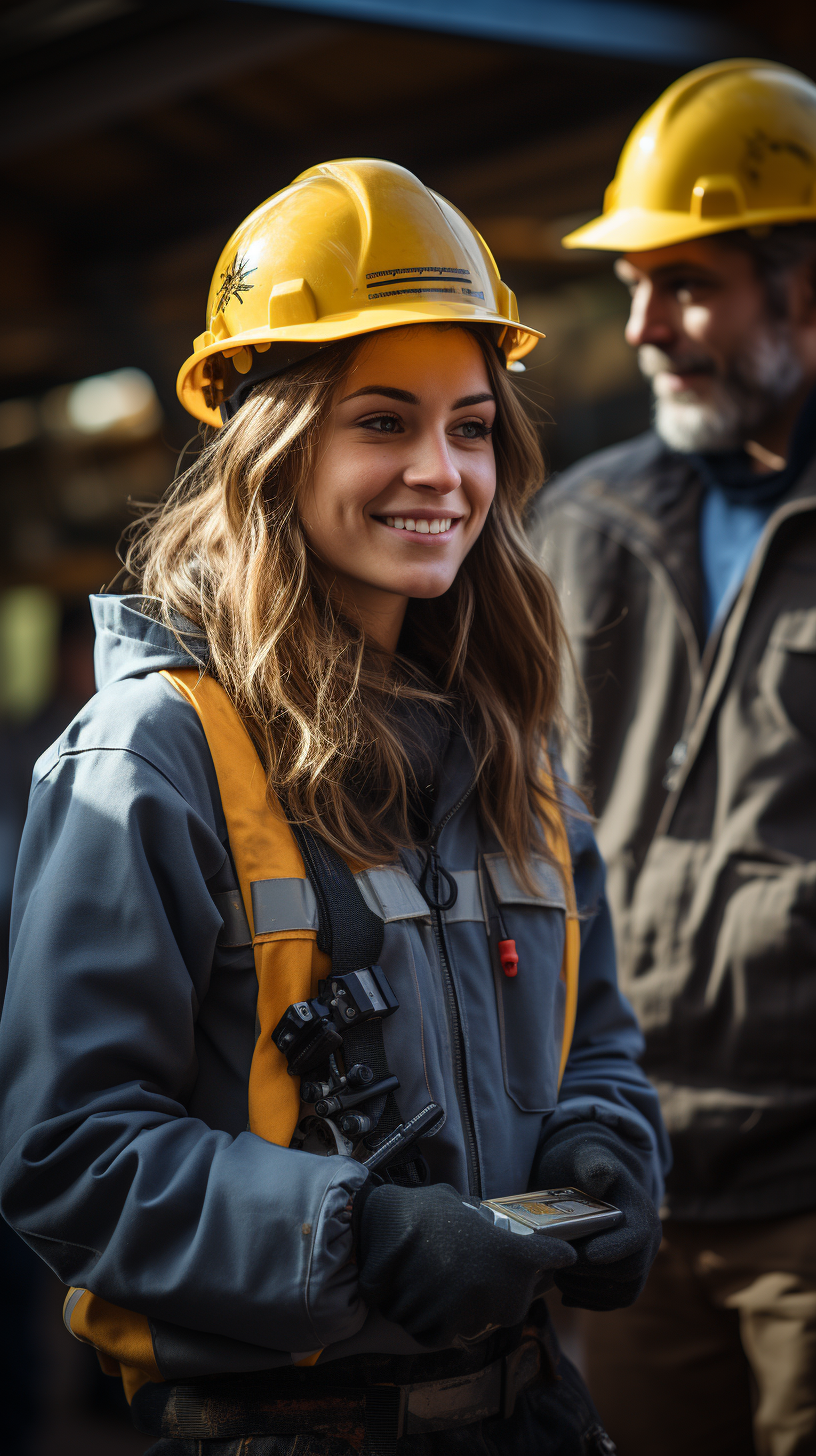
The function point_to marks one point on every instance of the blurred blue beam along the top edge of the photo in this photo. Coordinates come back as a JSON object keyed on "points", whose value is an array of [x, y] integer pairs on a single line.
{"points": [[652, 33]]}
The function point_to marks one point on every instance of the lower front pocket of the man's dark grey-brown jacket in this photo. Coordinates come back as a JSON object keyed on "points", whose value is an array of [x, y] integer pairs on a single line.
{"points": [[719, 968]]}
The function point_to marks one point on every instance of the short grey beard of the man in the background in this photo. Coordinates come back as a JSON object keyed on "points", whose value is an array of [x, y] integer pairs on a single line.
{"points": [[737, 407]]}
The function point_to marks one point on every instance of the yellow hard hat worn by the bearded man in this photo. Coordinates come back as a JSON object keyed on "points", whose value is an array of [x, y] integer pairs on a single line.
{"points": [[728, 146]]}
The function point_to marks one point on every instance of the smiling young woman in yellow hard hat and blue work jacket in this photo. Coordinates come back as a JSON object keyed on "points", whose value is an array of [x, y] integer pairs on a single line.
{"points": [[295, 887]]}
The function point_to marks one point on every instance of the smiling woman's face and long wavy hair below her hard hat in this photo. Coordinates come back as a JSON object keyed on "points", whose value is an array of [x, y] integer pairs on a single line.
{"points": [[327, 624]]}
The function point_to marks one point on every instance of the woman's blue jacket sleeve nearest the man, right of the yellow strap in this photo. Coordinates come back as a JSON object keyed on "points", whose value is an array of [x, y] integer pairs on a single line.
{"points": [[603, 1081]]}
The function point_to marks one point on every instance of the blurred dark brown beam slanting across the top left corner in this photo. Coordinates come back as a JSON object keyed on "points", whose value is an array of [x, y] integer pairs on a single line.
{"points": [[177, 60]]}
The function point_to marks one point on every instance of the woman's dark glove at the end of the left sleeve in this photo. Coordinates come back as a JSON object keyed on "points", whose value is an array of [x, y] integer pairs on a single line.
{"points": [[439, 1269]]}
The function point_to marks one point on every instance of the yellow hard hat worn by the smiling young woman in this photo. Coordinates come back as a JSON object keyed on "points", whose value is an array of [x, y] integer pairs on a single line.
{"points": [[348, 248]]}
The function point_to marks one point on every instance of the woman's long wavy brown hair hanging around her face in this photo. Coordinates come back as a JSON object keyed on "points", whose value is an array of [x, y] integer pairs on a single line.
{"points": [[227, 551]]}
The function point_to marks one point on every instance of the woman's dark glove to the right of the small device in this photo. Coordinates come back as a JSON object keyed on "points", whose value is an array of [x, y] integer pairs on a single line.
{"points": [[613, 1267]]}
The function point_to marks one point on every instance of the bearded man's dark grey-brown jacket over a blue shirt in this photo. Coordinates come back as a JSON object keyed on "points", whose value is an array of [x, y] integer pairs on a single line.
{"points": [[702, 765]]}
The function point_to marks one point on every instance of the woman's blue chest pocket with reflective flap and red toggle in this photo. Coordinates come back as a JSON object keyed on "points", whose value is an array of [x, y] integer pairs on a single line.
{"points": [[531, 1005]]}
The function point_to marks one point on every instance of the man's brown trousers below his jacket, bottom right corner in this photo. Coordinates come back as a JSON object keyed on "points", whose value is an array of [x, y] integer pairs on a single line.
{"points": [[719, 1355]]}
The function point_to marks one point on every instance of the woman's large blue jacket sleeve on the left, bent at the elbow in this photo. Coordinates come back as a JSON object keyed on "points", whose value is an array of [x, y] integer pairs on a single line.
{"points": [[104, 1171]]}
